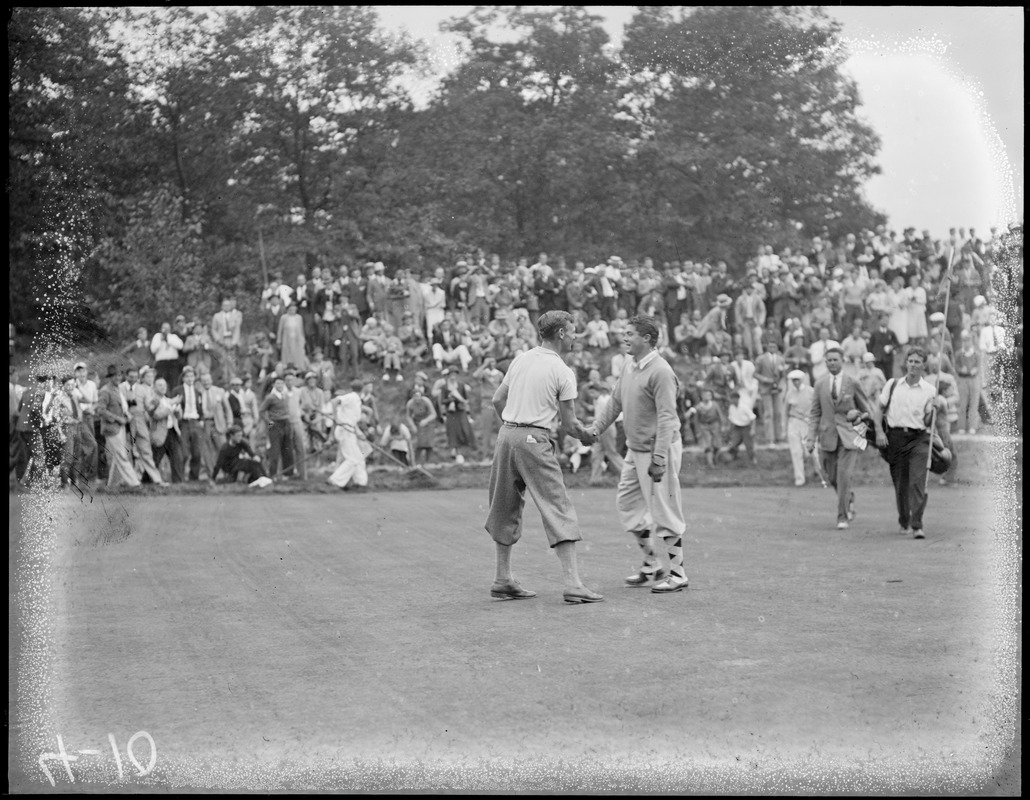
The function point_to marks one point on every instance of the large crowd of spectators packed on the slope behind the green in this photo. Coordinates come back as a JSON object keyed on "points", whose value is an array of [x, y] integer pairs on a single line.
{"points": [[269, 386]]}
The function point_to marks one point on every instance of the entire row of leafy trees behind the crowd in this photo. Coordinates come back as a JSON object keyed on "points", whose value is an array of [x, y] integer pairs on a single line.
{"points": [[161, 157]]}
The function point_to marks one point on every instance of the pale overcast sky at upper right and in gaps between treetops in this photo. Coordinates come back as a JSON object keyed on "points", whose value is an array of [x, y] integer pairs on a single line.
{"points": [[943, 87]]}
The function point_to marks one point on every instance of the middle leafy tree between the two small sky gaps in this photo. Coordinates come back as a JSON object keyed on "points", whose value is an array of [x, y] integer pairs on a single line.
{"points": [[524, 136]]}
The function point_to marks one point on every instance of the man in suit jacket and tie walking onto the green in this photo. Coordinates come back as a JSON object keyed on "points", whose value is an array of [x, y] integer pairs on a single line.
{"points": [[836, 395]]}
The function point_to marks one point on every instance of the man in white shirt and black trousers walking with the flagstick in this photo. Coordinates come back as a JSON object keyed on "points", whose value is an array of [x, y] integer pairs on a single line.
{"points": [[908, 404]]}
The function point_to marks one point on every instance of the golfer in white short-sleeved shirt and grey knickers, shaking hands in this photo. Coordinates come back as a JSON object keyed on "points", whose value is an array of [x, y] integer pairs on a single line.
{"points": [[538, 388]]}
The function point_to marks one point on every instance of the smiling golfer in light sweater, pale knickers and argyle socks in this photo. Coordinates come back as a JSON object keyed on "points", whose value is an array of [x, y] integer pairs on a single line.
{"points": [[648, 497]]}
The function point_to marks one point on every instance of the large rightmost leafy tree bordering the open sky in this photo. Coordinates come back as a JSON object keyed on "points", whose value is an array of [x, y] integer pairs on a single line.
{"points": [[748, 130]]}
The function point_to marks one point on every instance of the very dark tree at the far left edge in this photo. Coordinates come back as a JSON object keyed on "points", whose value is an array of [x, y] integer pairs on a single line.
{"points": [[70, 133]]}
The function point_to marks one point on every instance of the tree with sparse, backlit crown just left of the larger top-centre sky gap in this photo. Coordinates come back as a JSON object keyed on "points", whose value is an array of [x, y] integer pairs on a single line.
{"points": [[318, 96]]}
